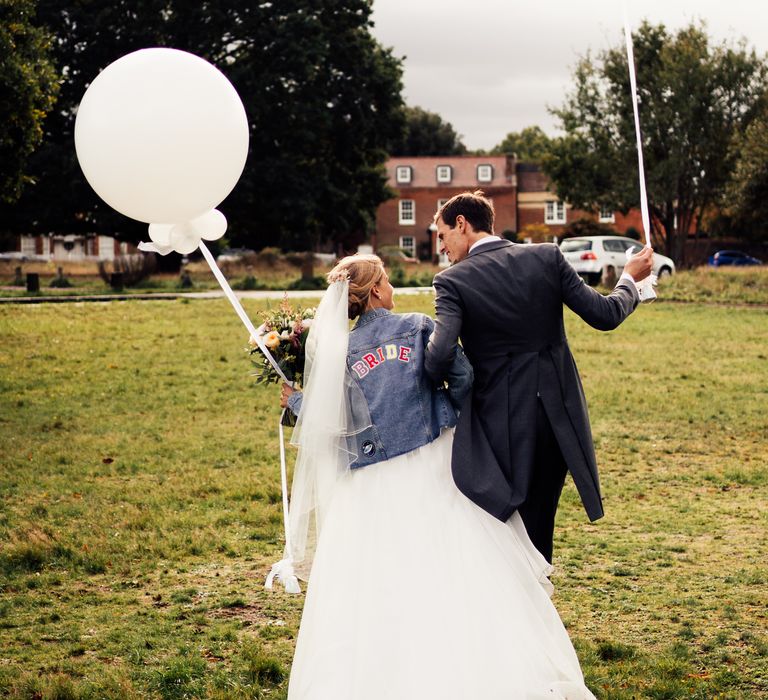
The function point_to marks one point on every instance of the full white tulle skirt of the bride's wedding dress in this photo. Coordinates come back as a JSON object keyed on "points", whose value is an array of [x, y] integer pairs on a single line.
{"points": [[418, 594]]}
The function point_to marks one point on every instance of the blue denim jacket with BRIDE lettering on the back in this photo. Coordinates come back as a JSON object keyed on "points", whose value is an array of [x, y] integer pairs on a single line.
{"points": [[385, 358]]}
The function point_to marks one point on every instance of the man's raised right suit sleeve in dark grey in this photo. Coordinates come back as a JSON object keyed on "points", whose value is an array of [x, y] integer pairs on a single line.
{"points": [[602, 312]]}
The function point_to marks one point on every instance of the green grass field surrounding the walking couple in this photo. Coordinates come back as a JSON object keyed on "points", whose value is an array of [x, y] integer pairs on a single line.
{"points": [[140, 506]]}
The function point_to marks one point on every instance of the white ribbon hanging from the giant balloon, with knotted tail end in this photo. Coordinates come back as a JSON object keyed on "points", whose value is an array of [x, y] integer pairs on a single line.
{"points": [[282, 570]]}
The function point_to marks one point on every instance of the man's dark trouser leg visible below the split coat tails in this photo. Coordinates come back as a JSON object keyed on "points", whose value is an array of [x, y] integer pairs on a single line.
{"points": [[546, 485]]}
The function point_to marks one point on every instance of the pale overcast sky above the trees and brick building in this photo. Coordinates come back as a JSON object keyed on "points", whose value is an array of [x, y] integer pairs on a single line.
{"points": [[494, 66]]}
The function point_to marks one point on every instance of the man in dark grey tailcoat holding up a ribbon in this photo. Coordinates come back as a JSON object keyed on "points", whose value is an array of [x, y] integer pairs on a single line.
{"points": [[525, 423]]}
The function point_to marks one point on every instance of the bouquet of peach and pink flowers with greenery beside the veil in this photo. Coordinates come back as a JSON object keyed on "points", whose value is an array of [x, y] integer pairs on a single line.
{"points": [[284, 333]]}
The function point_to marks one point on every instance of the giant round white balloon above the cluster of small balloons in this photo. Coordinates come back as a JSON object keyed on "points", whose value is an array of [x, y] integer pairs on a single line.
{"points": [[161, 136]]}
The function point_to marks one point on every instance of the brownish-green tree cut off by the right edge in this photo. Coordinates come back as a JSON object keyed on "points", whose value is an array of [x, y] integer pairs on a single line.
{"points": [[746, 197]]}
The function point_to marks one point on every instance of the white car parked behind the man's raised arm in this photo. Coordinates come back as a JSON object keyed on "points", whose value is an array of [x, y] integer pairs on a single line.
{"points": [[595, 256]]}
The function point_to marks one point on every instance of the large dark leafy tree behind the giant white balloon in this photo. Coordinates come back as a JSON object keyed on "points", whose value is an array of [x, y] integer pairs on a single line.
{"points": [[322, 98]]}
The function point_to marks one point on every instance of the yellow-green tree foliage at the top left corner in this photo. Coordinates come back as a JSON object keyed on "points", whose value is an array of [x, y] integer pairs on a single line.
{"points": [[28, 86]]}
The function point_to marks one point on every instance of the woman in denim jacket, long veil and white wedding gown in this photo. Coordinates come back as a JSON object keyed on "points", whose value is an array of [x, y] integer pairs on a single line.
{"points": [[415, 592]]}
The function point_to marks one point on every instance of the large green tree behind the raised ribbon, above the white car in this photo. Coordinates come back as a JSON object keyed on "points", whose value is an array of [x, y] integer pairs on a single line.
{"points": [[693, 100]]}
